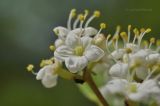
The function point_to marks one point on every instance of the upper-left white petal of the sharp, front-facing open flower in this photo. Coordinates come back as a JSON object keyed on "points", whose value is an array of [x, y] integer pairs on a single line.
{"points": [[72, 40]]}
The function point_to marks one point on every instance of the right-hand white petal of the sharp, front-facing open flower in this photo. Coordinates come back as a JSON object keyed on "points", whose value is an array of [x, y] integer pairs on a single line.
{"points": [[94, 53]]}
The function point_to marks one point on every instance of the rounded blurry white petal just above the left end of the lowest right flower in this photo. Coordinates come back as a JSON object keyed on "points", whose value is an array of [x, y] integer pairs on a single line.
{"points": [[119, 70]]}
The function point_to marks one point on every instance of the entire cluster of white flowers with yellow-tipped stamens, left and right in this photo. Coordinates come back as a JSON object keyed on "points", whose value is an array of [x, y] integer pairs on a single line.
{"points": [[132, 66]]}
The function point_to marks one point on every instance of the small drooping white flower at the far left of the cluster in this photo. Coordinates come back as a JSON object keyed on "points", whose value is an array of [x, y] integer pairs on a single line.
{"points": [[47, 76]]}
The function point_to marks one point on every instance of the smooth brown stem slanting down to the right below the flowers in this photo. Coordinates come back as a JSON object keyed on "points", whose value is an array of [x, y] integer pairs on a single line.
{"points": [[88, 78]]}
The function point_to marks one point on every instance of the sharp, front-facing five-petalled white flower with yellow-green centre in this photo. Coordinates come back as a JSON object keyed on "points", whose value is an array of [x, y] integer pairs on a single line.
{"points": [[77, 52]]}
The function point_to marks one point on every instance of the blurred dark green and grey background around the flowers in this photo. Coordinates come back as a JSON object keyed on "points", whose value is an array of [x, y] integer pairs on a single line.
{"points": [[26, 32]]}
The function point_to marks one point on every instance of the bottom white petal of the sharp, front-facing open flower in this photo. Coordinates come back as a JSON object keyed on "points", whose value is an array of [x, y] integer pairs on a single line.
{"points": [[76, 64]]}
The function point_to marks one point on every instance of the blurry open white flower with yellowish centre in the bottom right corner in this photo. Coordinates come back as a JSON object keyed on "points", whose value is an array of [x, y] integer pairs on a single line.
{"points": [[140, 92]]}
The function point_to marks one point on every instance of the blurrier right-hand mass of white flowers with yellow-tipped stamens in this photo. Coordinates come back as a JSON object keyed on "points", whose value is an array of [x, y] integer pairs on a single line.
{"points": [[135, 72]]}
